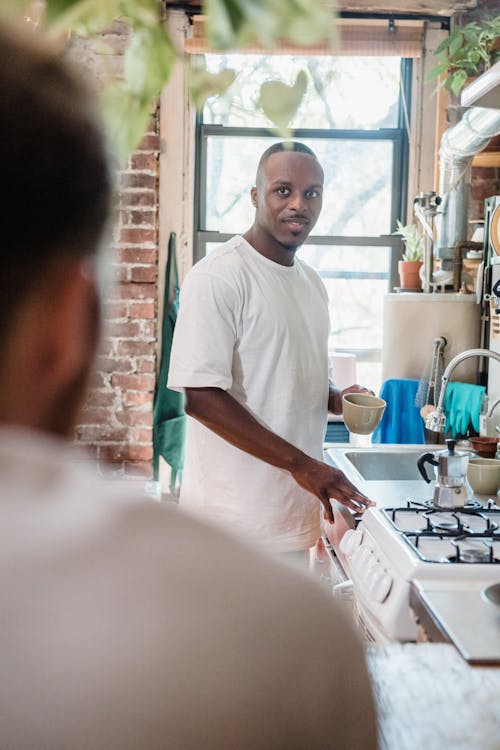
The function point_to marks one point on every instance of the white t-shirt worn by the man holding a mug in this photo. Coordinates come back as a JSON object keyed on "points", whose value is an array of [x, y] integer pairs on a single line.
{"points": [[259, 331]]}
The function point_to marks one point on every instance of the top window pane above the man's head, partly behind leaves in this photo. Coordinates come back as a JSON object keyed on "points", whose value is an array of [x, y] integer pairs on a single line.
{"points": [[342, 92]]}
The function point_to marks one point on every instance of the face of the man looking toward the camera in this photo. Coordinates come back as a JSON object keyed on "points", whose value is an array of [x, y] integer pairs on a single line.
{"points": [[288, 197]]}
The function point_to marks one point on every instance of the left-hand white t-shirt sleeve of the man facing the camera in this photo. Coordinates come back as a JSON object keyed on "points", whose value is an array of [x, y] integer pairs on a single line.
{"points": [[204, 335]]}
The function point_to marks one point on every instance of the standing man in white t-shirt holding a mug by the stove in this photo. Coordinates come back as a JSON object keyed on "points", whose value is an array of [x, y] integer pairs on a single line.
{"points": [[250, 351]]}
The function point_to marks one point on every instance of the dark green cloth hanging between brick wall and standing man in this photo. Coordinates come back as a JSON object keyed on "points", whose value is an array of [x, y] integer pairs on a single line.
{"points": [[169, 418]]}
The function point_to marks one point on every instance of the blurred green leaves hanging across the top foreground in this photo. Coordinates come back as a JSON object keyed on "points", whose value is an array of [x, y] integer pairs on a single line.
{"points": [[150, 54]]}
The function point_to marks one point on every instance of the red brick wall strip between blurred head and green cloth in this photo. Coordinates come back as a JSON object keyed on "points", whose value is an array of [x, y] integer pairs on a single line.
{"points": [[116, 421]]}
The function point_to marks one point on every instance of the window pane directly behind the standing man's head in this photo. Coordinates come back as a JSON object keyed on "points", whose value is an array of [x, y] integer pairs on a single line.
{"points": [[357, 194]]}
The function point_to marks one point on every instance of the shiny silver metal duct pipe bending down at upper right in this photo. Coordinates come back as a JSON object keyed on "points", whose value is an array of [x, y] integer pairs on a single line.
{"points": [[459, 145]]}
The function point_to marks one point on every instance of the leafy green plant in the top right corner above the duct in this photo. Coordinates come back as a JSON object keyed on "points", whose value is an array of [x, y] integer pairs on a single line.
{"points": [[468, 51]]}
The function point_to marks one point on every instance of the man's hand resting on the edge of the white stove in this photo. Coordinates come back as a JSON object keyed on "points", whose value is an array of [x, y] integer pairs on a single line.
{"points": [[328, 483]]}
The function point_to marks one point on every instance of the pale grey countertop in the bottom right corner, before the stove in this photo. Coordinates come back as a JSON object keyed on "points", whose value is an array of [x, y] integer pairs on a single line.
{"points": [[429, 698]]}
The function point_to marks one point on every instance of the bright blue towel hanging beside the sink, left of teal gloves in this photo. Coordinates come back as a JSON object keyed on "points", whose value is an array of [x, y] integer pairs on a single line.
{"points": [[401, 422]]}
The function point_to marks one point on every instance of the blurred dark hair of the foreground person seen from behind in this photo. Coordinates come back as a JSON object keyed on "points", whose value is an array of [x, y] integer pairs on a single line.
{"points": [[55, 182]]}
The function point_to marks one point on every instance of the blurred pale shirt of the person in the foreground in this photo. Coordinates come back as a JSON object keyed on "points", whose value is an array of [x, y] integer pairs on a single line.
{"points": [[127, 624]]}
